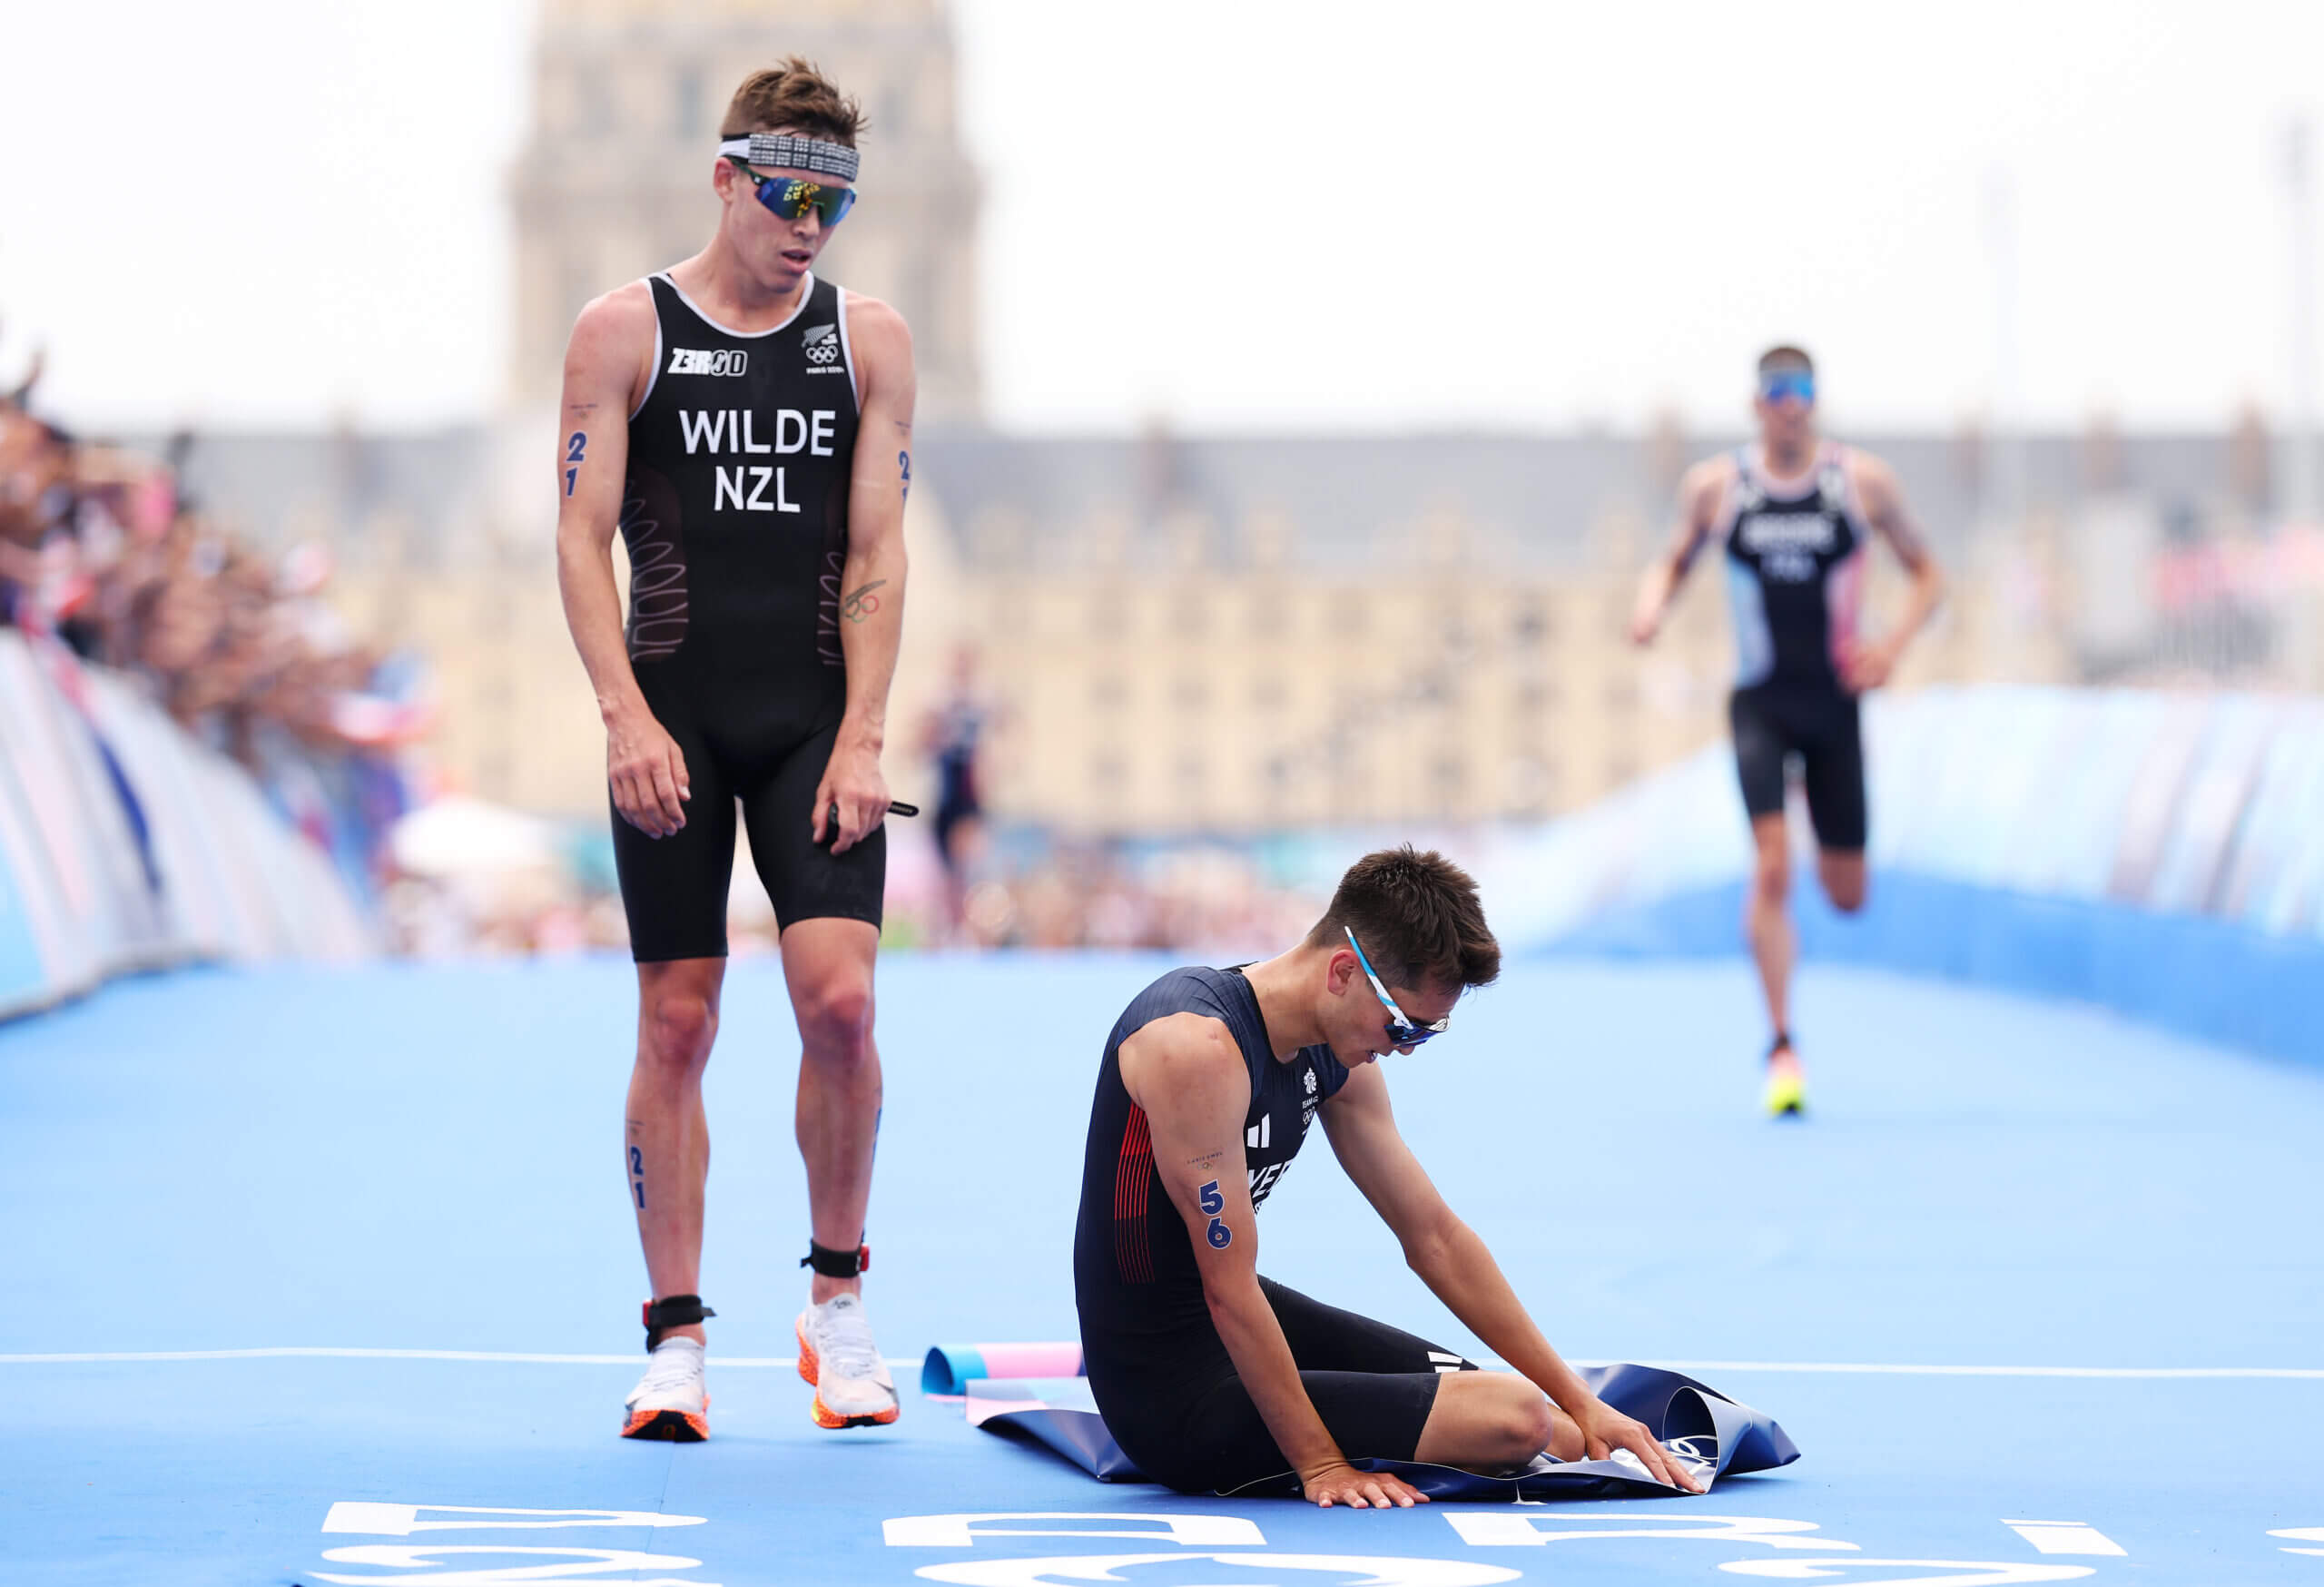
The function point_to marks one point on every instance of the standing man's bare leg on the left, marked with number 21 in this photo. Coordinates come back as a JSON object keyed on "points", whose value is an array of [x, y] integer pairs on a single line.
{"points": [[668, 1140]]}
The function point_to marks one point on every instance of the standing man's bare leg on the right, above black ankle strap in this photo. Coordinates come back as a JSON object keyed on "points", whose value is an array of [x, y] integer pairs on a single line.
{"points": [[829, 965]]}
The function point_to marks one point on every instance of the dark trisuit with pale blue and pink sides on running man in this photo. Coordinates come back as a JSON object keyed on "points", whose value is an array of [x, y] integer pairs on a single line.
{"points": [[1795, 575]]}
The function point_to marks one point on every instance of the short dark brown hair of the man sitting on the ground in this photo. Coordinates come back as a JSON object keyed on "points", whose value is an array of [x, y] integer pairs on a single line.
{"points": [[1416, 917]]}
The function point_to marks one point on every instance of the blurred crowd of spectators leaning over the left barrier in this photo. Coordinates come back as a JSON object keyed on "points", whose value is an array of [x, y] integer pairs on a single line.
{"points": [[106, 554]]}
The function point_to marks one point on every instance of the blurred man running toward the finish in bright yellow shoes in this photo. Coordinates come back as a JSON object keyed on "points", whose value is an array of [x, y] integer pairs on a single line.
{"points": [[1793, 519]]}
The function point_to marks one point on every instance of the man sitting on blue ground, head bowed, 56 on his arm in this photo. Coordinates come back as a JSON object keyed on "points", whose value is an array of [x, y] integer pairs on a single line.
{"points": [[1212, 1377]]}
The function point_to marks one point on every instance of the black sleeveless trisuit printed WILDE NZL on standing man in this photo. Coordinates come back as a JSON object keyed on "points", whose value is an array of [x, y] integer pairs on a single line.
{"points": [[736, 515]]}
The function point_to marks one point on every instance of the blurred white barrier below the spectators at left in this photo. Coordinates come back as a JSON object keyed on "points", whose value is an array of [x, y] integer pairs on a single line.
{"points": [[124, 845]]}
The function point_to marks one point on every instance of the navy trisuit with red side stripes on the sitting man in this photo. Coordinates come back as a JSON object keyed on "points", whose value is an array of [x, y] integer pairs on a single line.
{"points": [[1156, 1363]]}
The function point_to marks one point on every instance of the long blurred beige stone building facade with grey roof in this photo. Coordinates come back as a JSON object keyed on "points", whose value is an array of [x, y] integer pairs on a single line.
{"points": [[1298, 631]]}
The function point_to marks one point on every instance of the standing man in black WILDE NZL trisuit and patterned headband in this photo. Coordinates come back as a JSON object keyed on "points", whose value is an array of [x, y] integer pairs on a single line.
{"points": [[749, 431]]}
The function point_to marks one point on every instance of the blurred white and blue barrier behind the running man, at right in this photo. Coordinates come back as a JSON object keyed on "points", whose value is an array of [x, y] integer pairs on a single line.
{"points": [[2156, 854]]}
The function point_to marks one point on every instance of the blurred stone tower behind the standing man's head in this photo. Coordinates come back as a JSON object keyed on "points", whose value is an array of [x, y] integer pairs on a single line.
{"points": [[615, 178]]}
